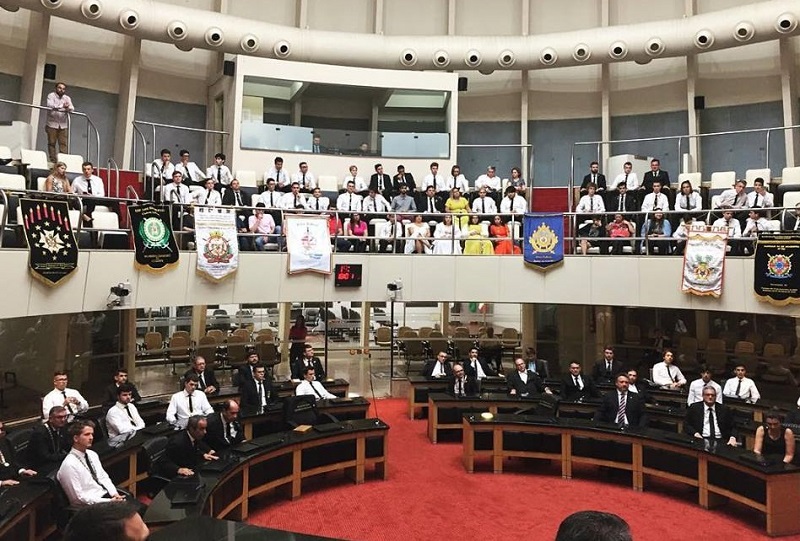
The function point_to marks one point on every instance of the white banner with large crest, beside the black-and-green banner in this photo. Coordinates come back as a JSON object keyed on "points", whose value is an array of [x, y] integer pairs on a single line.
{"points": [[217, 242]]}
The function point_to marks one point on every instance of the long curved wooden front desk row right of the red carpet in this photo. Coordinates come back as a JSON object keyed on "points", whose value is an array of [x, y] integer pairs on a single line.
{"points": [[717, 471]]}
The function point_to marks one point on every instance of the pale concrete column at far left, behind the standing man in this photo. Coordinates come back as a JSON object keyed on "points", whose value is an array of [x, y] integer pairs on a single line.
{"points": [[33, 70]]}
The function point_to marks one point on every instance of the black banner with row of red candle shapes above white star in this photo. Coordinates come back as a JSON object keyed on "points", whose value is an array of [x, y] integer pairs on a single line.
{"points": [[52, 249]]}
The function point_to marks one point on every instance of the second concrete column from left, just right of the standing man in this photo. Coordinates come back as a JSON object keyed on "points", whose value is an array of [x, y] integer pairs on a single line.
{"points": [[126, 106]]}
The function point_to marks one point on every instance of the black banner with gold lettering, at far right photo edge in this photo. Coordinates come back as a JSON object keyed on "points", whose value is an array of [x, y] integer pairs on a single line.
{"points": [[775, 280]]}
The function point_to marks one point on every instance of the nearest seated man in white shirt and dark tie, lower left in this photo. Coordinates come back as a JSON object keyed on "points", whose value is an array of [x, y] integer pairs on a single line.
{"points": [[81, 475]]}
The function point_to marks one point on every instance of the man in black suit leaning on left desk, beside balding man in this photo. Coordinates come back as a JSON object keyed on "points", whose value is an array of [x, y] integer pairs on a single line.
{"points": [[186, 450]]}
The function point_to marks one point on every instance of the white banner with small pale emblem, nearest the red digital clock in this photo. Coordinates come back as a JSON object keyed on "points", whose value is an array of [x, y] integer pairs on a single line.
{"points": [[308, 242]]}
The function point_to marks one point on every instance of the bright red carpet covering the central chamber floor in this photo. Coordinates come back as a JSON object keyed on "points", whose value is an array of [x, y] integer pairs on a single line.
{"points": [[429, 496]]}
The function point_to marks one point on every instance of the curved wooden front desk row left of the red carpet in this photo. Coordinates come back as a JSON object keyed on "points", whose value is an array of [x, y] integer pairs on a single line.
{"points": [[284, 461]]}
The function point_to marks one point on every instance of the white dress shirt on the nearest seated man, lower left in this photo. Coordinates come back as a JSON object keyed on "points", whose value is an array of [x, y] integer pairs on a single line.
{"points": [[76, 479]]}
